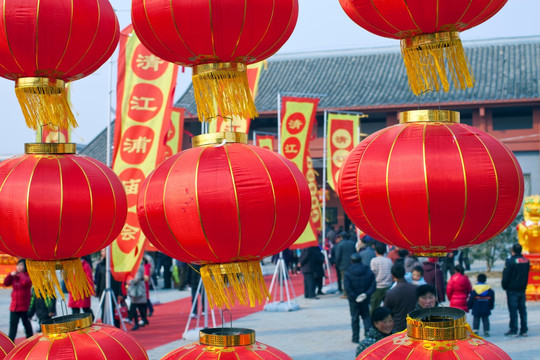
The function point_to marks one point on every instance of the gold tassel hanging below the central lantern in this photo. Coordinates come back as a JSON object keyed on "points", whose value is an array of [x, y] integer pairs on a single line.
{"points": [[224, 283]]}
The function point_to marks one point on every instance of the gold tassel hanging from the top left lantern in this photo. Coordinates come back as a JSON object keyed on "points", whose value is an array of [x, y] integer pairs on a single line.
{"points": [[44, 101]]}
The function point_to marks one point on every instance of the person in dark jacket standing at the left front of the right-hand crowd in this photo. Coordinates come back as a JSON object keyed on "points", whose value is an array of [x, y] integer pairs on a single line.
{"points": [[359, 283]]}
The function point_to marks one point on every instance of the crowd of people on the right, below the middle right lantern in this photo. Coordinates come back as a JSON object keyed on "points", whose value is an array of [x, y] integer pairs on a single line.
{"points": [[383, 284]]}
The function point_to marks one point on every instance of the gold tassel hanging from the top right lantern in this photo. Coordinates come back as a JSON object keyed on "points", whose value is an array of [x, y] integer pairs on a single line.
{"points": [[427, 57]]}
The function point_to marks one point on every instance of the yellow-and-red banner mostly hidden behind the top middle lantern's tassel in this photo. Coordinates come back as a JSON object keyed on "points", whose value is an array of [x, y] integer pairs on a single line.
{"points": [[237, 123]]}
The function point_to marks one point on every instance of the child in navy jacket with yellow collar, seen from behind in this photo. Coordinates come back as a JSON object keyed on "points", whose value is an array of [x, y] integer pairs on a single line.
{"points": [[481, 301]]}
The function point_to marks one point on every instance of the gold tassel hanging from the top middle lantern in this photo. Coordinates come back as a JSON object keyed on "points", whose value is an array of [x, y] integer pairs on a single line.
{"points": [[222, 89]]}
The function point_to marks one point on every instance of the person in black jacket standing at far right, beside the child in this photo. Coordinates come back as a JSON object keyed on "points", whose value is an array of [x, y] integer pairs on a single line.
{"points": [[514, 281]]}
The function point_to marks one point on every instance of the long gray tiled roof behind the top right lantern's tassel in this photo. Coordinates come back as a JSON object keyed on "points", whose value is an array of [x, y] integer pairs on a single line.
{"points": [[505, 70]]}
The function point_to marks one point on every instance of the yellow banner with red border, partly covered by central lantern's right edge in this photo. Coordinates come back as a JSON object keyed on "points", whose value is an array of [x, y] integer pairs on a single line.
{"points": [[297, 119]]}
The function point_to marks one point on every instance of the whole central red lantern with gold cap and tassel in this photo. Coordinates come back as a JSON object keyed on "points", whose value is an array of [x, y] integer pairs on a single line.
{"points": [[226, 205]]}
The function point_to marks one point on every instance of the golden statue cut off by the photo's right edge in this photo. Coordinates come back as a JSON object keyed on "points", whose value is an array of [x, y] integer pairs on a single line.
{"points": [[529, 230]]}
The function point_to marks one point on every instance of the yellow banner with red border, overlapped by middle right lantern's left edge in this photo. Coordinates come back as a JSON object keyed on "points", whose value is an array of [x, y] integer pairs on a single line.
{"points": [[342, 137]]}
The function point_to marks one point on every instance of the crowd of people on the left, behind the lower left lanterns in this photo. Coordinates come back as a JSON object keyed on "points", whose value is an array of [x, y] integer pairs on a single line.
{"points": [[25, 304]]}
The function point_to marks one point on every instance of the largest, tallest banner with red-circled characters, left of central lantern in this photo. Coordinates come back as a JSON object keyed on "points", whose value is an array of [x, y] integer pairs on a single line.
{"points": [[144, 94]]}
